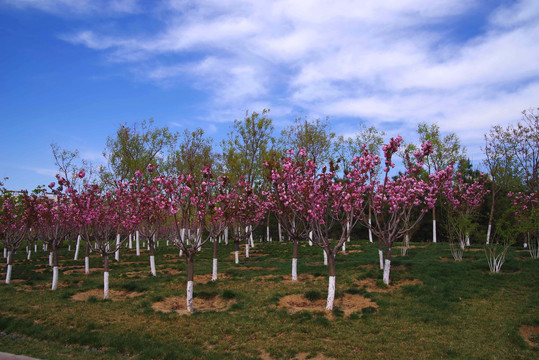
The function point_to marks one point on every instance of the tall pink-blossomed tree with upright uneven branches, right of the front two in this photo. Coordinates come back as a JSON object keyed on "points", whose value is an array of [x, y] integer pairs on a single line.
{"points": [[393, 201]]}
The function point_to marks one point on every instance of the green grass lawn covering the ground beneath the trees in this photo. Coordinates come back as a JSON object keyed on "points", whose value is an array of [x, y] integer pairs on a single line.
{"points": [[458, 310]]}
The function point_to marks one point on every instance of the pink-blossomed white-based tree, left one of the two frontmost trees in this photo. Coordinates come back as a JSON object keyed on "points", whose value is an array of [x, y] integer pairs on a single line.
{"points": [[196, 208]]}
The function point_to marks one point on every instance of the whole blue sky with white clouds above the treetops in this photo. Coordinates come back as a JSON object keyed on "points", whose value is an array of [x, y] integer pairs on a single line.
{"points": [[72, 71]]}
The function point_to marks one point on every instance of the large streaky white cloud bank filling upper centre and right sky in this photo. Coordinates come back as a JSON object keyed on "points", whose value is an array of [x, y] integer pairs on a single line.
{"points": [[393, 62]]}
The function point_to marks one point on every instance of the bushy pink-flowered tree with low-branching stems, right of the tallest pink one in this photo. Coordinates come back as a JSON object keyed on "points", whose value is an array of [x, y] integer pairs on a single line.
{"points": [[462, 200]]}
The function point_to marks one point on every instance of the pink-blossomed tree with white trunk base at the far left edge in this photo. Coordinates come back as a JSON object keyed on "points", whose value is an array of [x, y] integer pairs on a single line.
{"points": [[13, 225]]}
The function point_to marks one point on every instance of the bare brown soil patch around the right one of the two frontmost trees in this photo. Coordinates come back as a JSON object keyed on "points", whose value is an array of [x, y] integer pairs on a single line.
{"points": [[348, 304]]}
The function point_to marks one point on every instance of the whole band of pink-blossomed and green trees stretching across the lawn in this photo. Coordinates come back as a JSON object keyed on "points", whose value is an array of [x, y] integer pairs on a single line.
{"points": [[311, 201]]}
